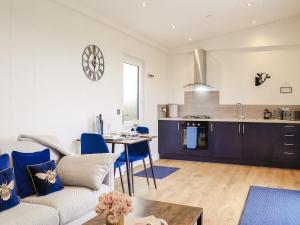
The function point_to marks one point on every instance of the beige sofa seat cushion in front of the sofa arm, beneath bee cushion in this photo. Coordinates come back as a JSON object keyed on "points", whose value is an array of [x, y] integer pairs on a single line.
{"points": [[71, 202]]}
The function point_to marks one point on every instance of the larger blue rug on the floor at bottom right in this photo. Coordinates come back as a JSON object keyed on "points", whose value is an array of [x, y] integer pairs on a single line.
{"points": [[271, 206]]}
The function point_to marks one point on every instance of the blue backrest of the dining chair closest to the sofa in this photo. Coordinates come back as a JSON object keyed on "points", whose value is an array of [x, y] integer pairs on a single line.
{"points": [[92, 144]]}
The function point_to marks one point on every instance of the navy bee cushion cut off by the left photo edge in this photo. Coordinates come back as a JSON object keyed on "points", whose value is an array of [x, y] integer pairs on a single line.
{"points": [[8, 191]]}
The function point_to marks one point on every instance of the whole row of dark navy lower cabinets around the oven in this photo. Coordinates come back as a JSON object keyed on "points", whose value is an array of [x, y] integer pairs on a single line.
{"points": [[266, 144]]}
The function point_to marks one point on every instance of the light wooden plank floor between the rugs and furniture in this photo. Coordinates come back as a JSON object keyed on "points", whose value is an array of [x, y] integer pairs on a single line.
{"points": [[220, 189]]}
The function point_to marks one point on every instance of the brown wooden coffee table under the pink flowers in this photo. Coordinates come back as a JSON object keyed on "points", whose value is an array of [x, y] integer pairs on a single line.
{"points": [[174, 214]]}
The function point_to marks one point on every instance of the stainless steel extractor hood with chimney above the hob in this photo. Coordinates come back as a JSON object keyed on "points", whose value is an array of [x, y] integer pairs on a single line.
{"points": [[199, 71]]}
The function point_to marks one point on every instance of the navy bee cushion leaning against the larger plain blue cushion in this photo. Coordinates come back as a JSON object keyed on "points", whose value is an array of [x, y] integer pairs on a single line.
{"points": [[45, 178]]}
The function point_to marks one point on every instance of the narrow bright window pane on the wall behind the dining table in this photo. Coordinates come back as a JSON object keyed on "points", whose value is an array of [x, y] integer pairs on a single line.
{"points": [[131, 98]]}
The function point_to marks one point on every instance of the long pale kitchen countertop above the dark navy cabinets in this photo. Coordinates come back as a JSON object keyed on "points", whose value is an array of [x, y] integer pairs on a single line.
{"points": [[249, 120]]}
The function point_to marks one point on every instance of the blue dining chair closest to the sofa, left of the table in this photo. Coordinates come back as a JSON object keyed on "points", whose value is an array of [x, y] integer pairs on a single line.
{"points": [[94, 144]]}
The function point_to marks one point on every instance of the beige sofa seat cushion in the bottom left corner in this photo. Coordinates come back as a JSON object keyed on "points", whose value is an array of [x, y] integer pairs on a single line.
{"points": [[30, 214]]}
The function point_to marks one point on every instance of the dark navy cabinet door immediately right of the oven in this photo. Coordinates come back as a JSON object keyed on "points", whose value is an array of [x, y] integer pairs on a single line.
{"points": [[225, 140]]}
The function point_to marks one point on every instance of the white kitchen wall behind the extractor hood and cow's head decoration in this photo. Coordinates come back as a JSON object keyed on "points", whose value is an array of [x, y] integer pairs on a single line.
{"points": [[234, 59]]}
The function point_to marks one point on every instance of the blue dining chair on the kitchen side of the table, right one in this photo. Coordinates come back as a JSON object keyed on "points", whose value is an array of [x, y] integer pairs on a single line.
{"points": [[137, 152]]}
